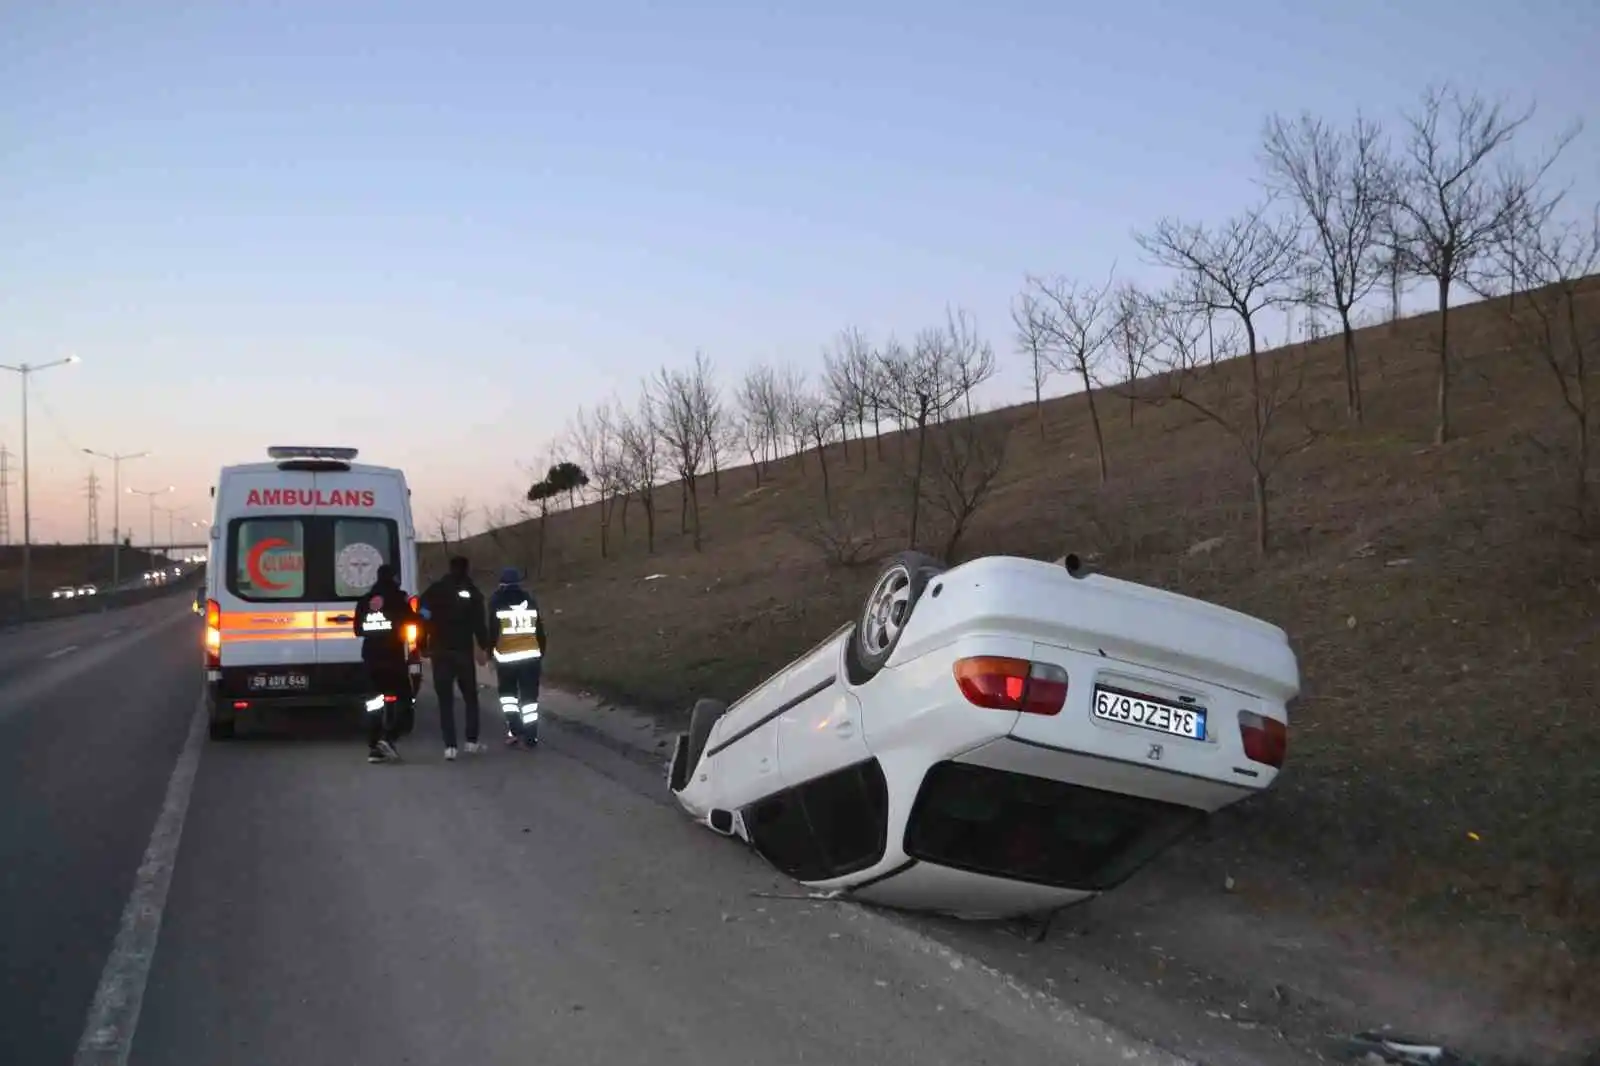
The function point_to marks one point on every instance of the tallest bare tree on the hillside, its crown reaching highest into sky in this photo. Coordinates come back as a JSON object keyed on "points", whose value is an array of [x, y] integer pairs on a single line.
{"points": [[1450, 206]]}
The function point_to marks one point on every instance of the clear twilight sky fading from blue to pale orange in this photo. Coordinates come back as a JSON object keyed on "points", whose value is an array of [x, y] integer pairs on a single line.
{"points": [[434, 231]]}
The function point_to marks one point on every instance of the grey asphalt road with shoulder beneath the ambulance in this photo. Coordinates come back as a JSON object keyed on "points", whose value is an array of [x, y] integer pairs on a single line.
{"points": [[297, 907]]}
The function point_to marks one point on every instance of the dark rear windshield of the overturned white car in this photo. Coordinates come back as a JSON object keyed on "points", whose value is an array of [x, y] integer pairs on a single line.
{"points": [[1049, 833]]}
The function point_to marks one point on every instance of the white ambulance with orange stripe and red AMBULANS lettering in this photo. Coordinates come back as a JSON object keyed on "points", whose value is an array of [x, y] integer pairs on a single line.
{"points": [[295, 542]]}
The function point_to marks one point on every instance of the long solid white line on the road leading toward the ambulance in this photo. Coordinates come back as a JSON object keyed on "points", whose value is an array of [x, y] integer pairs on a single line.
{"points": [[114, 1016]]}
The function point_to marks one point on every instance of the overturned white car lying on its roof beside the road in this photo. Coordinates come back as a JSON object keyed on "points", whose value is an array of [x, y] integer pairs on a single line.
{"points": [[999, 739]]}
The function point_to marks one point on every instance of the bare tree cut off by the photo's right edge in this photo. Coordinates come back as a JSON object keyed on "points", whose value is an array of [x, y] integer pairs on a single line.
{"points": [[1554, 262]]}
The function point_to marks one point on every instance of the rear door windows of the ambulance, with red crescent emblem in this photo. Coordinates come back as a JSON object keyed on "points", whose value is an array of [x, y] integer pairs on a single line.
{"points": [[289, 559]]}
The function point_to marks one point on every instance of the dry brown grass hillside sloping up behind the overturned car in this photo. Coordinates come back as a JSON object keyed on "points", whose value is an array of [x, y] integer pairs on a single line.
{"points": [[1446, 758]]}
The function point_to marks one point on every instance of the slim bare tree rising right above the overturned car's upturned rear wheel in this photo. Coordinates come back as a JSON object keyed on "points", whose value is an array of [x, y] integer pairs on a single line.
{"points": [[922, 385]]}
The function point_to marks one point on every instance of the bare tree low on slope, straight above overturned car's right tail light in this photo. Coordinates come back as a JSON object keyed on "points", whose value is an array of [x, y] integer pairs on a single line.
{"points": [[1242, 268]]}
